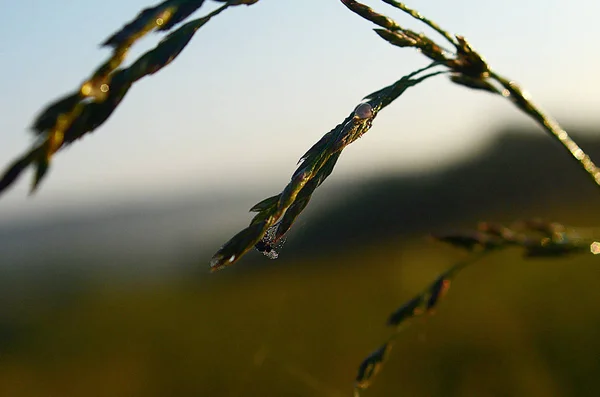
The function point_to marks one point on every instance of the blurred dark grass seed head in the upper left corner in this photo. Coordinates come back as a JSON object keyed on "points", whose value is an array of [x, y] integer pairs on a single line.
{"points": [[69, 118]]}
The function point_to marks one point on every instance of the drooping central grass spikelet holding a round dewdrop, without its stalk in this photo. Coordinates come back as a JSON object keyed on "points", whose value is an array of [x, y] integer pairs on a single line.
{"points": [[276, 214]]}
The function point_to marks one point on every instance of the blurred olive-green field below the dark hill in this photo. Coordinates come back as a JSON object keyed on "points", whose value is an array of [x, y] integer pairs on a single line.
{"points": [[508, 327]]}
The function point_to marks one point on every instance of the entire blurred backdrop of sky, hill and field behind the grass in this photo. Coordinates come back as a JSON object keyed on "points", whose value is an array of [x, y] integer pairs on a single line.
{"points": [[104, 281]]}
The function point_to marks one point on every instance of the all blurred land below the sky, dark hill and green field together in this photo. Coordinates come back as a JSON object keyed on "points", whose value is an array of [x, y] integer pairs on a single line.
{"points": [[118, 317]]}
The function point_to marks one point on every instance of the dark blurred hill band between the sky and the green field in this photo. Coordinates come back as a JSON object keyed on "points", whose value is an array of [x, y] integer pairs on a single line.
{"points": [[522, 174]]}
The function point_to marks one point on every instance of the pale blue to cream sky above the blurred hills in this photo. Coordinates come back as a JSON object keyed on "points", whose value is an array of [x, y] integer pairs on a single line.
{"points": [[259, 85]]}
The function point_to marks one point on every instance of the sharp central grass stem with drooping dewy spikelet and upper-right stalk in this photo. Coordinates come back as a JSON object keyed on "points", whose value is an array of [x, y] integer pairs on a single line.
{"points": [[465, 67]]}
